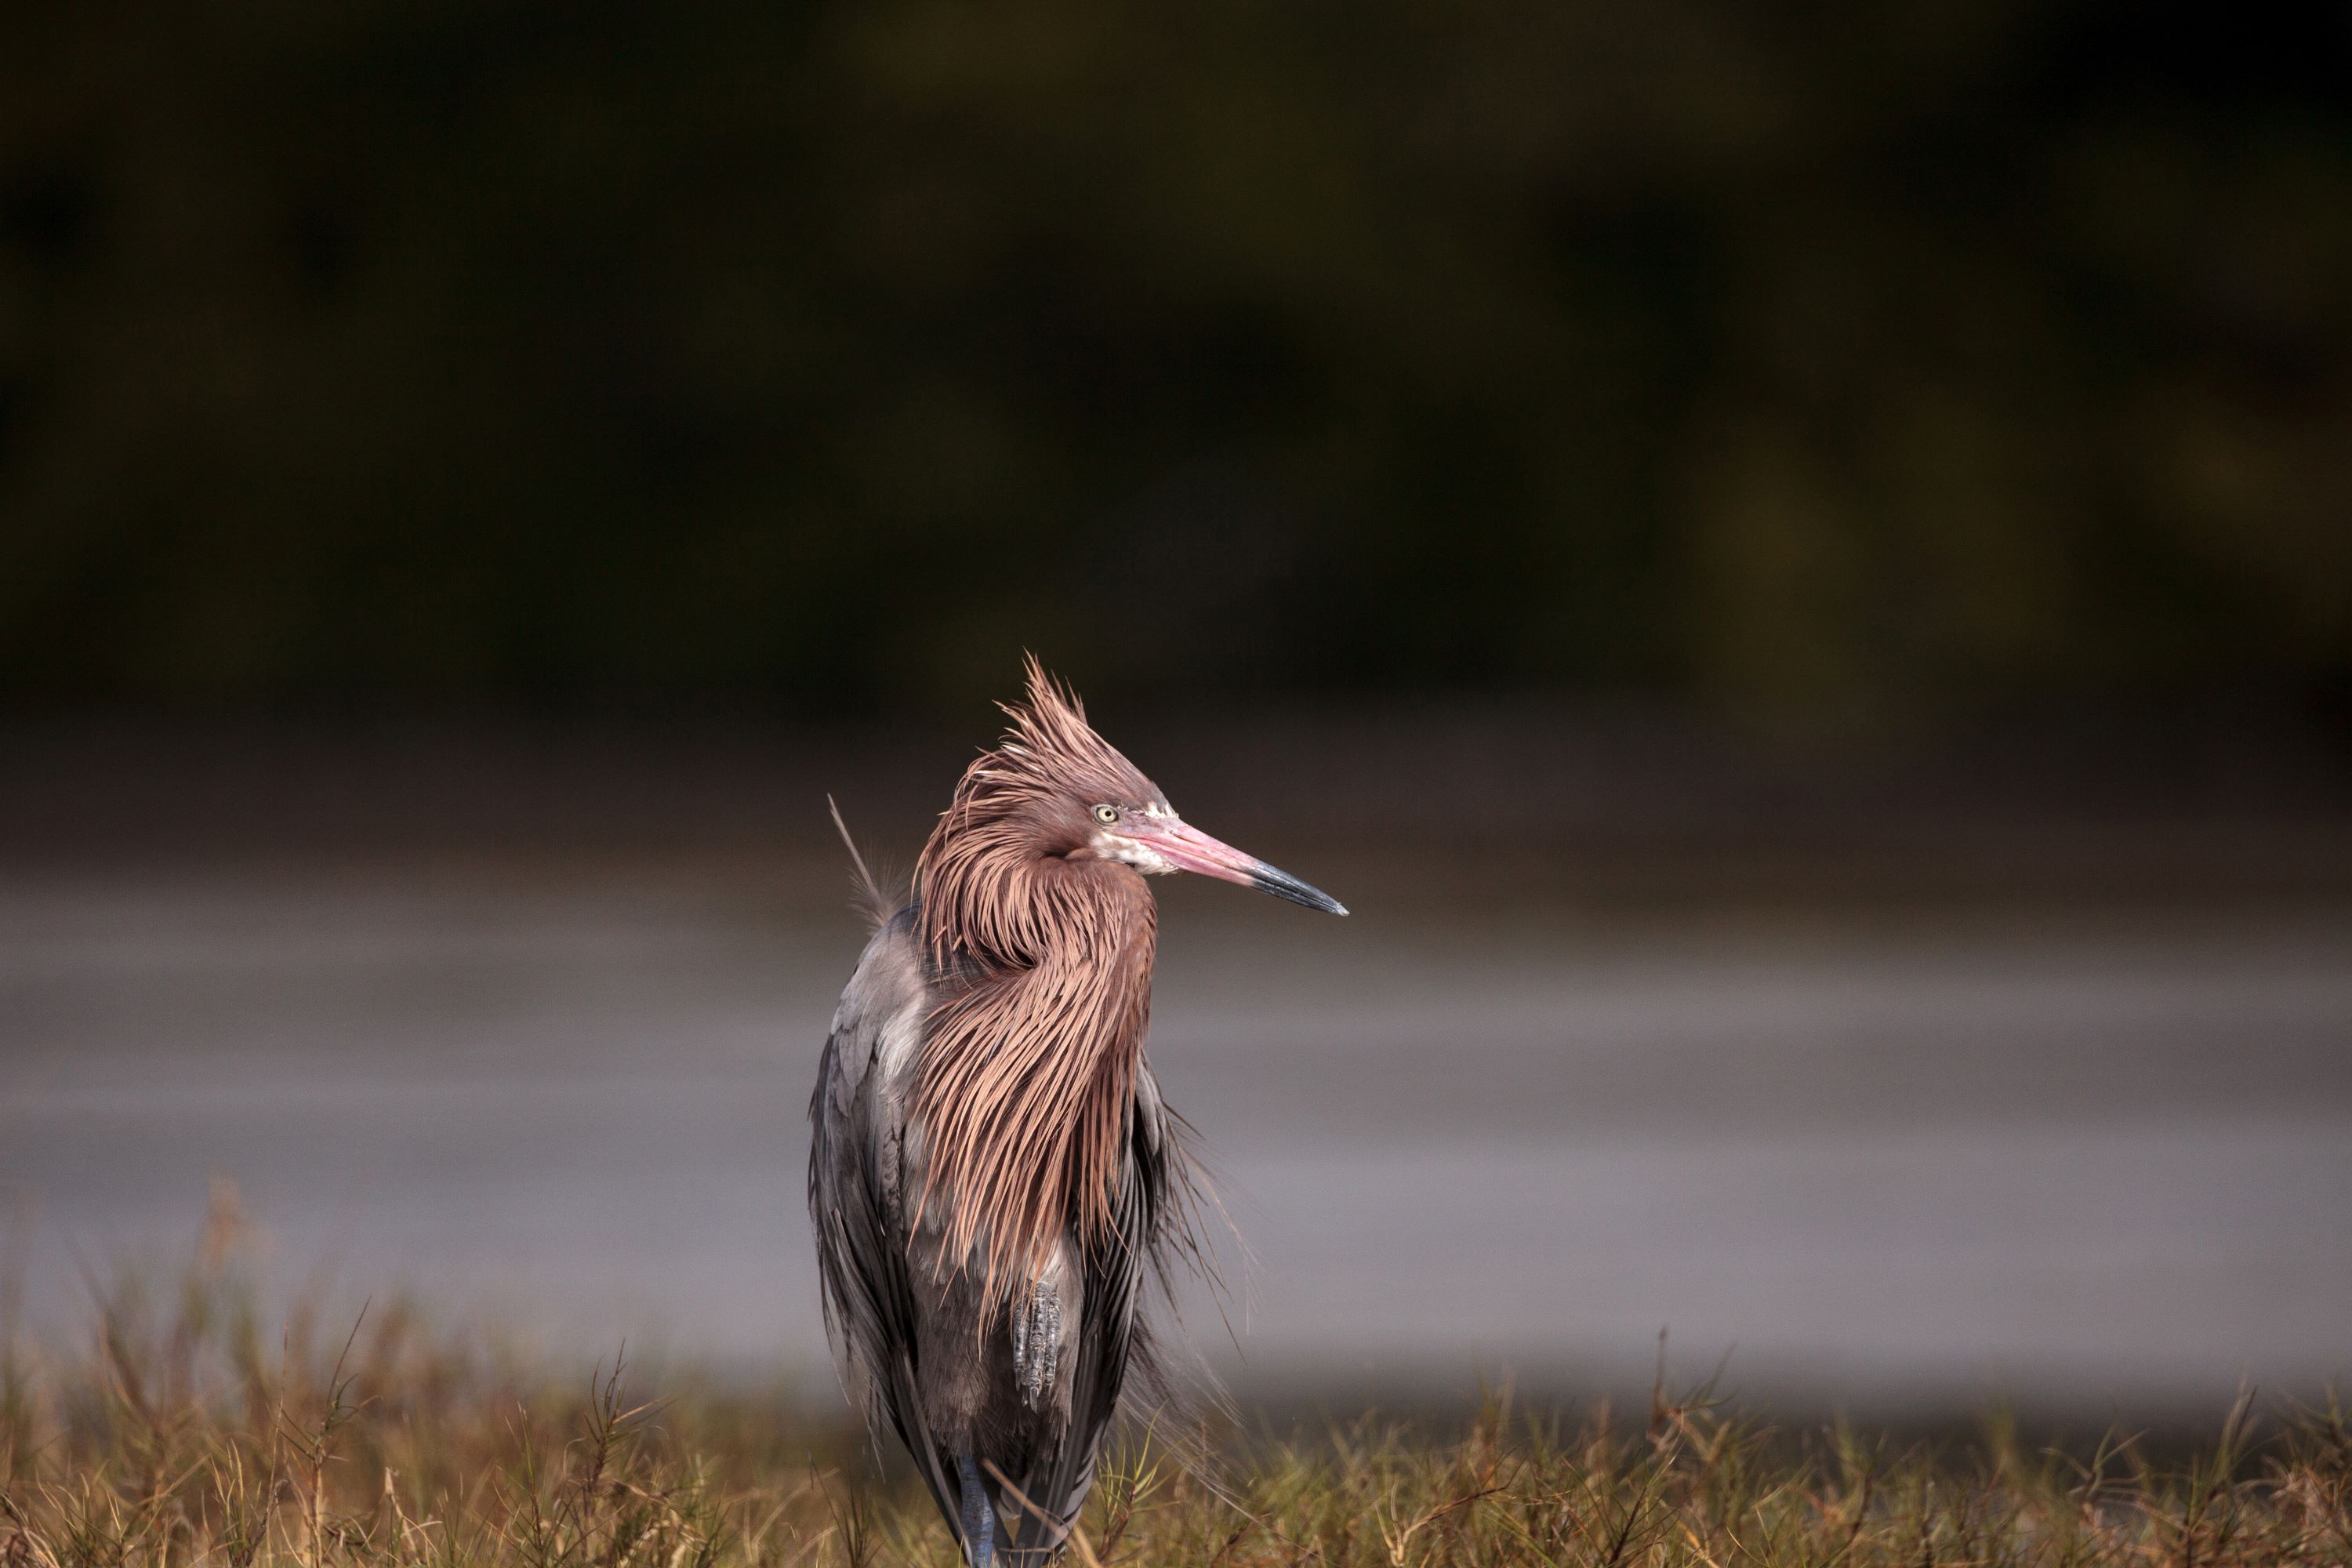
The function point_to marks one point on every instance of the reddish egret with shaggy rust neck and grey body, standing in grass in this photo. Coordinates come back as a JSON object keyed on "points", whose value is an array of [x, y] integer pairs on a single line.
{"points": [[994, 1174]]}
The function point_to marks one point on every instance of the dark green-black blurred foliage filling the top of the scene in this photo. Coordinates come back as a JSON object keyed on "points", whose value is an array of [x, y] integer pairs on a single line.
{"points": [[829, 354]]}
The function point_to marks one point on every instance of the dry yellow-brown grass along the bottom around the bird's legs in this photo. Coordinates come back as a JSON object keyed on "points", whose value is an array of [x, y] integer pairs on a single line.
{"points": [[187, 1435]]}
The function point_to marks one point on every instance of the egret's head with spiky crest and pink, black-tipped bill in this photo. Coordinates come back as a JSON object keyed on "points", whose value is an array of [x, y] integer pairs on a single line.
{"points": [[1053, 789]]}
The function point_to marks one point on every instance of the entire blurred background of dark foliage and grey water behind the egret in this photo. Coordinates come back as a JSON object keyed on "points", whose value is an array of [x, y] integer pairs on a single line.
{"points": [[1791, 565]]}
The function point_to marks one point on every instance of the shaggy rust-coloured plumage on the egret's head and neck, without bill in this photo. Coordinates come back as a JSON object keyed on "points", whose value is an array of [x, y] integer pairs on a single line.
{"points": [[1029, 1066]]}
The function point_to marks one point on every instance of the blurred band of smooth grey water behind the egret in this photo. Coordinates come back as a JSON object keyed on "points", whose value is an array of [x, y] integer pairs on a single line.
{"points": [[2085, 1162]]}
